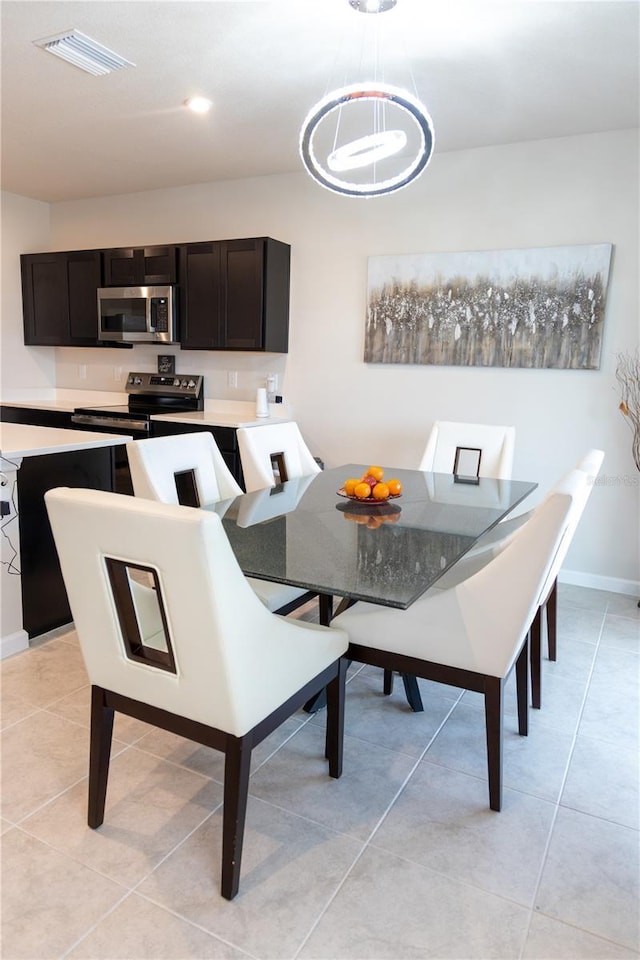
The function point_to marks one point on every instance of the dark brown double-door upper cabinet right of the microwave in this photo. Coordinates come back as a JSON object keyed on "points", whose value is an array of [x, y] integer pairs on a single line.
{"points": [[234, 295]]}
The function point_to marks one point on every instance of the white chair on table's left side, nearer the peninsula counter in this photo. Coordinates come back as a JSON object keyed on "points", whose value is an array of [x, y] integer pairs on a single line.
{"points": [[189, 469]]}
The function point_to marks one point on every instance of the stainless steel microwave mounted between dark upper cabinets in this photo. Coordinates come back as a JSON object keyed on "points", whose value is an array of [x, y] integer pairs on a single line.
{"points": [[137, 314]]}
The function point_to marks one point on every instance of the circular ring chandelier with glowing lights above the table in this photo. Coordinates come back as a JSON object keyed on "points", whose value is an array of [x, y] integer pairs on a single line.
{"points": [[375, 149]]}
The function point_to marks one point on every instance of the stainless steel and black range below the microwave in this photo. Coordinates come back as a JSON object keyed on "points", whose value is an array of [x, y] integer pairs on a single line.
{"points": [[148, 394]]}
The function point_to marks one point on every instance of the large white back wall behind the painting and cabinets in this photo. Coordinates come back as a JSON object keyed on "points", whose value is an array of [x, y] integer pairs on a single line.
{"points": [[546, 193]]}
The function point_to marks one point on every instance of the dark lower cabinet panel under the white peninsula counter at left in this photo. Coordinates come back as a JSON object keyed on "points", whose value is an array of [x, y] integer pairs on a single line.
{"points": [[44, 597]]}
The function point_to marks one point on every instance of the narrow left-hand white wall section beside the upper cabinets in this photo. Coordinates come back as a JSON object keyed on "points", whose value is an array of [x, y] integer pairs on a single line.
{"points": [[25, 228]]}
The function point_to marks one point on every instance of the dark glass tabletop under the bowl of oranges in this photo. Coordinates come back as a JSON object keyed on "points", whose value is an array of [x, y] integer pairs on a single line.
{"points": [[303, 533]]}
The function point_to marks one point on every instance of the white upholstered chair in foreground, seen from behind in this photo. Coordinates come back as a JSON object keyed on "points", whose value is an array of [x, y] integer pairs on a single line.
{"points": [[198, 655]]}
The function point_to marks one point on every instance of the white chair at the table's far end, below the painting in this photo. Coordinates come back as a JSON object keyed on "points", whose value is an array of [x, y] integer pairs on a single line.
{"points": [[448, 441]]}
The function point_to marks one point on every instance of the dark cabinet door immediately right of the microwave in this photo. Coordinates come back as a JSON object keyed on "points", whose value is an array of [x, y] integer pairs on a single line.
{"points": [[200, 296]]}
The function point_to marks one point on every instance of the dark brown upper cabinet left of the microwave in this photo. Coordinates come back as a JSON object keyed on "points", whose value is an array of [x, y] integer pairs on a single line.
{"points": [[59, 298]]}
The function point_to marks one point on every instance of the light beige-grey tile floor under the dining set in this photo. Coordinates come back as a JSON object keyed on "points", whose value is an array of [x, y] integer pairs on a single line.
{"points": [[400, 858]]}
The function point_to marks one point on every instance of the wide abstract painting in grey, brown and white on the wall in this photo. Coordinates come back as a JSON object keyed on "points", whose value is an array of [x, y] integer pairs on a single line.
{"points": [[537, 307]]}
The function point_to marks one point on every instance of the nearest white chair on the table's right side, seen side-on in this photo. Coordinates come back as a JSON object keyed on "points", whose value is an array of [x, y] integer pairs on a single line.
{"points": [[472, 635]]}
